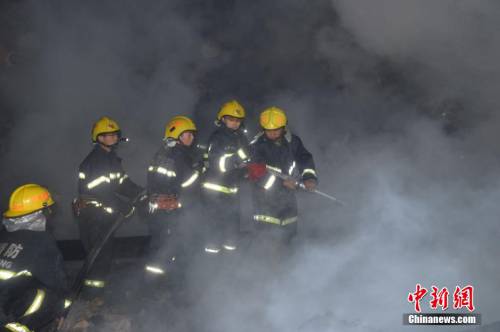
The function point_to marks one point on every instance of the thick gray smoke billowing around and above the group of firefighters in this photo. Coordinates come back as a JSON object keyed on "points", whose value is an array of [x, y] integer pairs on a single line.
{"points": [[396, 100]]}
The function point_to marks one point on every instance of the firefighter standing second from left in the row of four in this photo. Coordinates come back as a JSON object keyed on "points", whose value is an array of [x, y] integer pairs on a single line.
{"points": [[173, 189]]}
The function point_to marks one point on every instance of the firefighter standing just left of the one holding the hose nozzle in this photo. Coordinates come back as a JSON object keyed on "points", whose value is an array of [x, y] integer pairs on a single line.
{"points": [[227, 153]]}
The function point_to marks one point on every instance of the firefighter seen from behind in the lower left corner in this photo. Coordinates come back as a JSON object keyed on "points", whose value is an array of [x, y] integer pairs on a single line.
{"points": [[32, 279]]}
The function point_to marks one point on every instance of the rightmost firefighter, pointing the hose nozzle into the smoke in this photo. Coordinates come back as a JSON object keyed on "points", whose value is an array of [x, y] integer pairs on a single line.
{"points": [[277, 149]]}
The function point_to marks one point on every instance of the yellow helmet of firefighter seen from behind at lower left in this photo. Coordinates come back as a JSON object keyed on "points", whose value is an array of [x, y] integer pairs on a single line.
{"points": [[27, 199]]}
